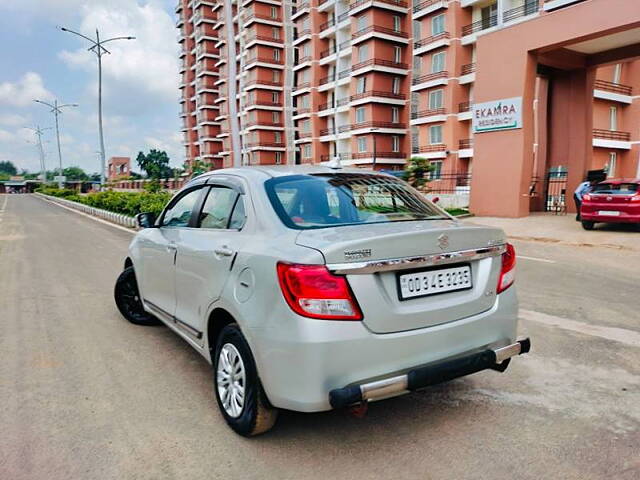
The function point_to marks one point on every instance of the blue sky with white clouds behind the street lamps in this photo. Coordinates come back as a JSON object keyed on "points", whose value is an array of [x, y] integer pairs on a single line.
{"points": [[140, 80]]}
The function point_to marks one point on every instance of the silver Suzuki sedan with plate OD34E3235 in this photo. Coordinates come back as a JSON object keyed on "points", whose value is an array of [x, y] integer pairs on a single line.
{"points": [[310, 288]]}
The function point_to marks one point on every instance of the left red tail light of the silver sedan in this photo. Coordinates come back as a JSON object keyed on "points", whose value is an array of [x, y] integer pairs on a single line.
{"points": [[312, 291]]}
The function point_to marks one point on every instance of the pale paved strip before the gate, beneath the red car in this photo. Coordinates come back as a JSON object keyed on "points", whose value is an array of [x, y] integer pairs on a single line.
{"points": [[563, 229]]}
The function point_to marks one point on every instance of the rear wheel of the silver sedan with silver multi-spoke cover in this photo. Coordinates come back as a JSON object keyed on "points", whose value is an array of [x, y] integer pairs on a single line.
{"points": [[238, 389]]}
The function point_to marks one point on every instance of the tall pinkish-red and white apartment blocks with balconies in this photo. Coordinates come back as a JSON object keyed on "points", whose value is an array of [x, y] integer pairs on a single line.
{"points": [[370, 81]]}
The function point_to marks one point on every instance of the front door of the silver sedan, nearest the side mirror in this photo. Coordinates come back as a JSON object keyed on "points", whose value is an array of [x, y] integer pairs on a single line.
{"points": [[158, 249]]}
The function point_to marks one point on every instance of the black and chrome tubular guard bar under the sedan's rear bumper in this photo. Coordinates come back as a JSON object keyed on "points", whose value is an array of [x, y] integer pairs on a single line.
{"points": [[496, 359]]}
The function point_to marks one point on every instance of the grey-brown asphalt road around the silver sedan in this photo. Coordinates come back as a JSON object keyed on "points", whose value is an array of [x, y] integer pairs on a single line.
{"points": [[85, 395]]}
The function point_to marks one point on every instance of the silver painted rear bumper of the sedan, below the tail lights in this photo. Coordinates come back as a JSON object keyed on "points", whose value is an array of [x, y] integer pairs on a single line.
{"points": [[300, 364]]}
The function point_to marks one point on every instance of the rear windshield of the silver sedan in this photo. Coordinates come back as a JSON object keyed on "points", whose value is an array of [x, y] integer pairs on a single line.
{"points": [[329, 200]]}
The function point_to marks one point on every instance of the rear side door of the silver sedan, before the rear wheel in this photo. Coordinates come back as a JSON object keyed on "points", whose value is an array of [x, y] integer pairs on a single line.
{"points": [[206, 254]]}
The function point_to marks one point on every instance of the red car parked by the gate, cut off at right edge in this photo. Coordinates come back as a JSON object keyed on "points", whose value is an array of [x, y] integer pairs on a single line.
{"points": [[612, 201]]}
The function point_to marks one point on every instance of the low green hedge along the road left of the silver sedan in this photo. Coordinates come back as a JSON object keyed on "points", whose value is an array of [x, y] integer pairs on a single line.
{"points": [[127, 203]]}
